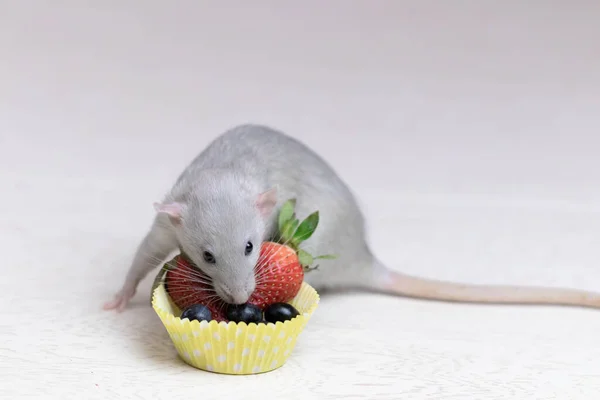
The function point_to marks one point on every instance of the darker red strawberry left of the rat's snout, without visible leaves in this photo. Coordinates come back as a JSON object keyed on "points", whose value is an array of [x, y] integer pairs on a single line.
{"points": [[187, 285]]}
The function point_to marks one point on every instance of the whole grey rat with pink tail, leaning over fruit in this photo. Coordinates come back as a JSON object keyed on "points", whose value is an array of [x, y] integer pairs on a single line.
{"points": [[226, 202]]}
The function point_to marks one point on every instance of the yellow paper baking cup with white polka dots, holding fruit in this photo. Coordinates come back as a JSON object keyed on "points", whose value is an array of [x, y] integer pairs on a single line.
{"points": [[235, 348]]}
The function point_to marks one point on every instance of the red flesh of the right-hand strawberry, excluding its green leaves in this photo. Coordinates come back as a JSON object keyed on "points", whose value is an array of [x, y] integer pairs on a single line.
{"points": [[279, 275]]}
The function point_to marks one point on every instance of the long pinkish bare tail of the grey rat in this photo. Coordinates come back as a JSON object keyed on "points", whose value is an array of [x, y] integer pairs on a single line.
{"points": [[389, 281]]}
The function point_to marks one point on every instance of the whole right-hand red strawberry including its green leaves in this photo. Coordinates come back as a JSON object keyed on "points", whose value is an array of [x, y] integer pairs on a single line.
{"points": [[281, 265]]}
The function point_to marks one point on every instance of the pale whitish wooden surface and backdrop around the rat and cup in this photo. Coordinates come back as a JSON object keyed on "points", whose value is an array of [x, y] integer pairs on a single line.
{"points": [[469, 131]]}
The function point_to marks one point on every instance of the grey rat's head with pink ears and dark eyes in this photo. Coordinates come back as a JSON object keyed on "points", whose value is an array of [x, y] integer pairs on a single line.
{"points": [[222, 234]]}
